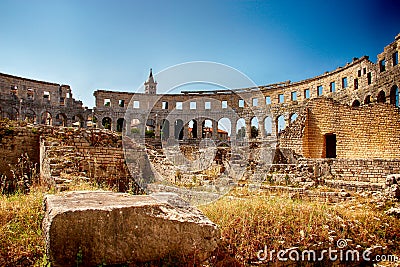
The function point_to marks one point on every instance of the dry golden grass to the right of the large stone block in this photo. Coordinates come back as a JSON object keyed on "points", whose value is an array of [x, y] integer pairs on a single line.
{"points": [[250, 223]]}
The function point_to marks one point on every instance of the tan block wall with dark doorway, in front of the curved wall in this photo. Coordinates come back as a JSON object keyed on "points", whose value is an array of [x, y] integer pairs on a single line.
{"points": [[365, 132]]}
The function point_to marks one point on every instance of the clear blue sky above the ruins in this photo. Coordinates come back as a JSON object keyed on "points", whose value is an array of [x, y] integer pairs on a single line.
{"points": [[98, 44]]}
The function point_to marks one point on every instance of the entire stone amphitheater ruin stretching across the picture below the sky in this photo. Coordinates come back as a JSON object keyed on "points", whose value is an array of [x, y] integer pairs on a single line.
{"points": [[342, 126]]}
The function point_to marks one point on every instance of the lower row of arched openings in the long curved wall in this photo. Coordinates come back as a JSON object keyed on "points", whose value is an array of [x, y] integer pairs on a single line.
{"points": [[223, 129]]}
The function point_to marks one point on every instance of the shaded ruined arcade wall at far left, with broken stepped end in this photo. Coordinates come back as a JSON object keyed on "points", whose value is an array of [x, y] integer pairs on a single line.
{"points": [[39, 102]]}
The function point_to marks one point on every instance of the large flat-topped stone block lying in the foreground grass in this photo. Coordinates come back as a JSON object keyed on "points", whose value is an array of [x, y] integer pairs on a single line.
{"points": [[116, 228]]}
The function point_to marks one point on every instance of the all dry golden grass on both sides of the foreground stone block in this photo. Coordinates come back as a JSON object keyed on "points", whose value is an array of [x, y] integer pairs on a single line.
{"points": [[247, 224]]}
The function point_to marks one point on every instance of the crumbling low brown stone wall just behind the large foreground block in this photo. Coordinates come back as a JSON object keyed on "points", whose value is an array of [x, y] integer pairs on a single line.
{"points": [[80, 153]]}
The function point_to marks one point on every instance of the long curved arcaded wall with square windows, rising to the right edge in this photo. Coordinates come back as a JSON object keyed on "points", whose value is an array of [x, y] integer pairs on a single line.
{"points": [[359, 82]]}
